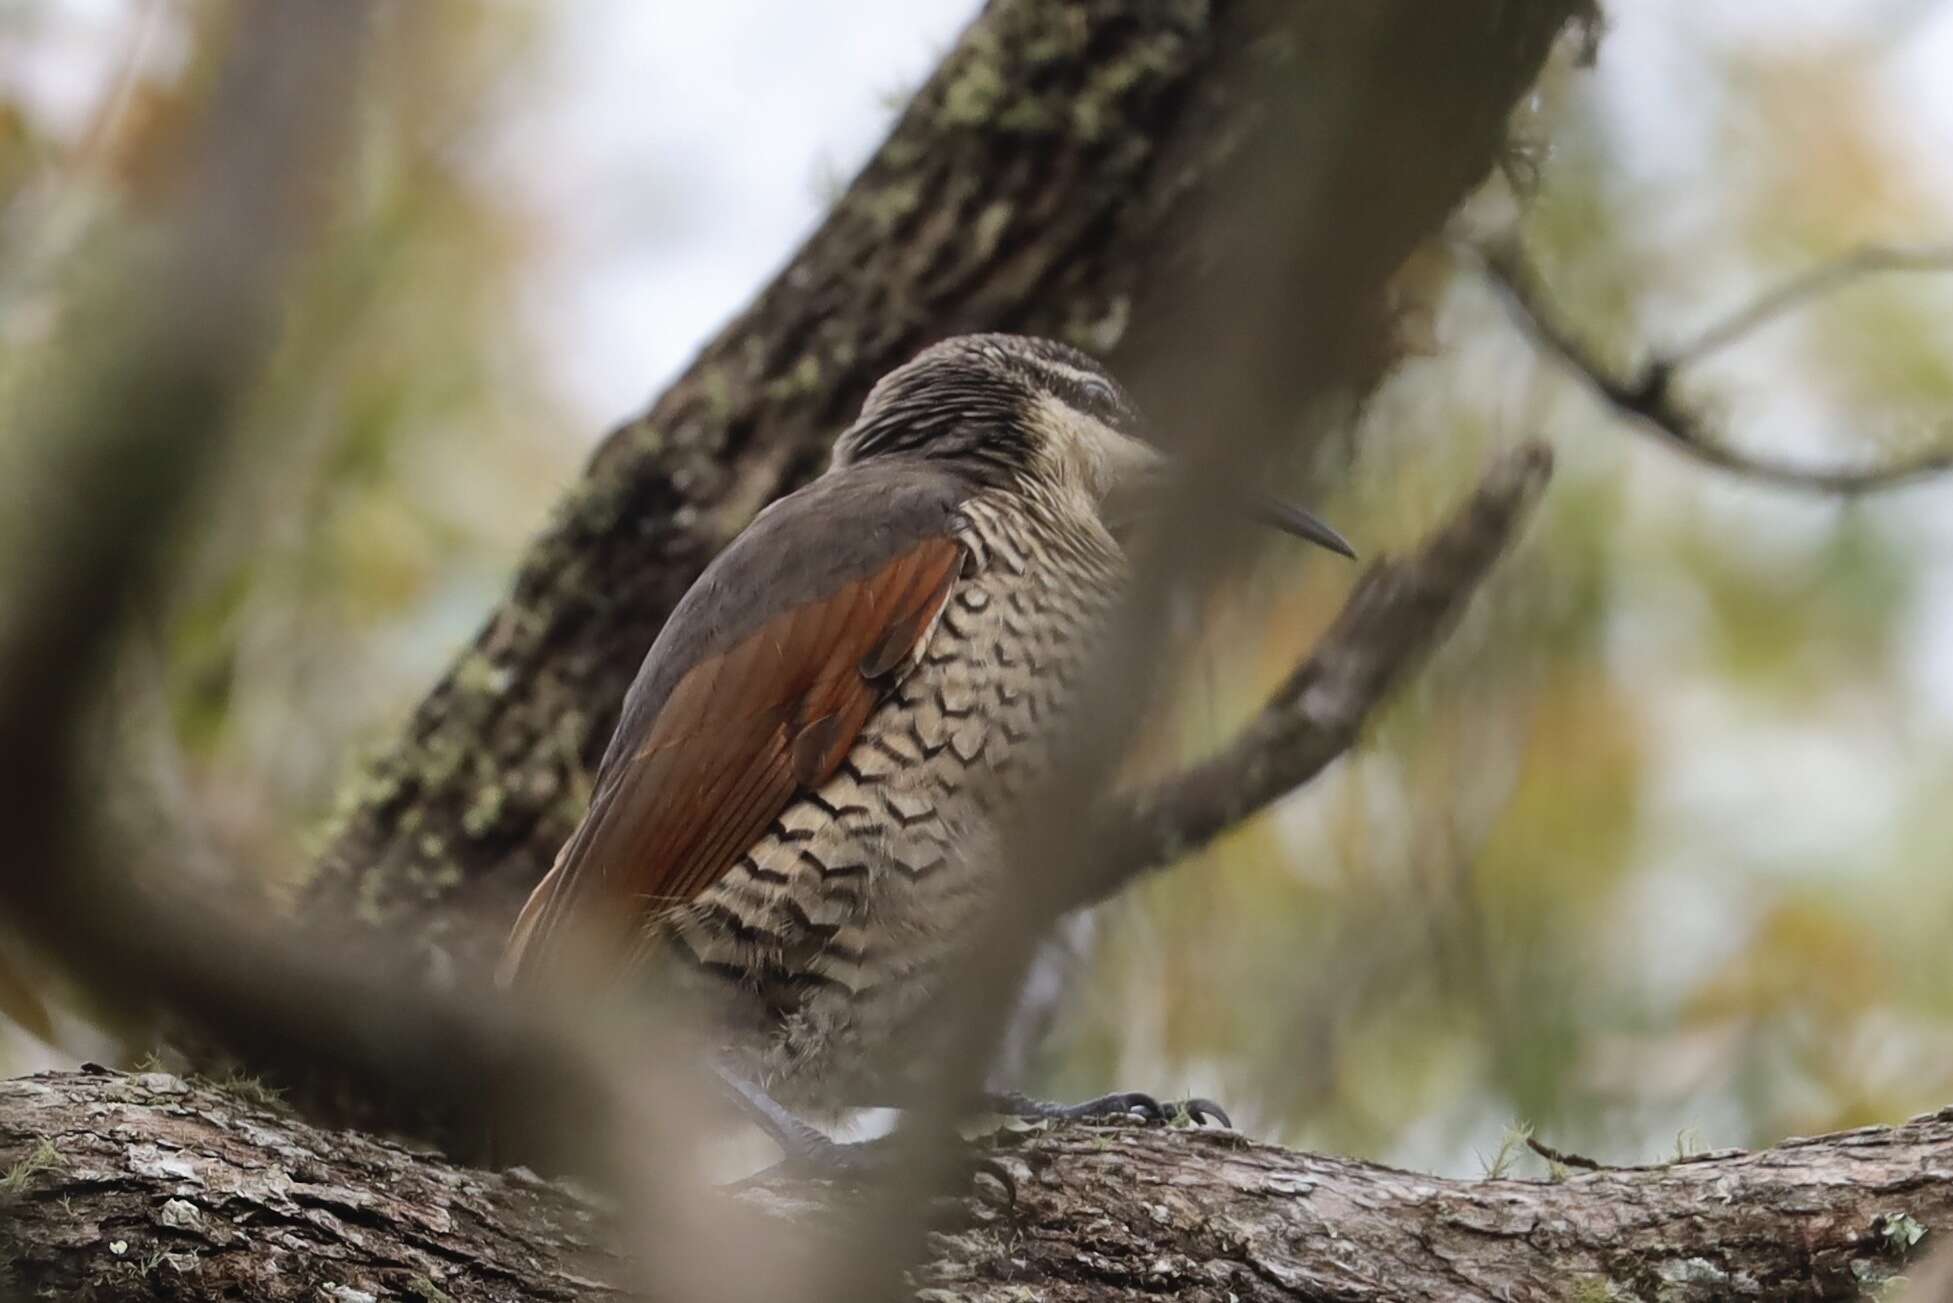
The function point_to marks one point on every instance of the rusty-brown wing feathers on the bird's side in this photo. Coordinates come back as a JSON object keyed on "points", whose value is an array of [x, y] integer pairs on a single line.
{"points": [[735, 741]]}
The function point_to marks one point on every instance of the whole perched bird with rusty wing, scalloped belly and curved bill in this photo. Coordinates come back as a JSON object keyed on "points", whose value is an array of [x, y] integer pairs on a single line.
{"points": [[798, 818]]}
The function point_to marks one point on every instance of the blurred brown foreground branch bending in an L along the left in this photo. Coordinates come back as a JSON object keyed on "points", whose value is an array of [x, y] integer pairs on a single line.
{"points": [[128, 441]]}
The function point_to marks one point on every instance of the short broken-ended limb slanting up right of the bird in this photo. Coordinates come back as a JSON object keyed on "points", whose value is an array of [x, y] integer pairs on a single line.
{"points": [[1395, 616]]}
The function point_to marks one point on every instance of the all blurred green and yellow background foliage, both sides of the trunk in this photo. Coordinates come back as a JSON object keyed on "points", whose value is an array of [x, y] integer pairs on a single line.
{"points": [[1657, 845]]}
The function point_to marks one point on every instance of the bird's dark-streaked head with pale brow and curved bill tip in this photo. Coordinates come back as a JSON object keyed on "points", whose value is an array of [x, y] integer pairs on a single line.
{"points": [[1017, 413]]}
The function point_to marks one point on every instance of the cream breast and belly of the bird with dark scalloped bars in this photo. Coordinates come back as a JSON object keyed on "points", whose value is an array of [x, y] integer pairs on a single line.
{"points": [[827, 941]]}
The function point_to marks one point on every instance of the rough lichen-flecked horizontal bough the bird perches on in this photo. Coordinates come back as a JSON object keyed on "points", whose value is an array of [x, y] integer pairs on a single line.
{"points": [[147, 1187]]}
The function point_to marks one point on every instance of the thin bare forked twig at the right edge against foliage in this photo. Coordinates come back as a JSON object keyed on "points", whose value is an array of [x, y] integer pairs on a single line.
{"points": [[1649, 396]]}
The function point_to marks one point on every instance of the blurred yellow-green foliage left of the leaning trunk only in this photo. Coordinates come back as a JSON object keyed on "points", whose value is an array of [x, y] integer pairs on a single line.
{"points": [[397, 454]]}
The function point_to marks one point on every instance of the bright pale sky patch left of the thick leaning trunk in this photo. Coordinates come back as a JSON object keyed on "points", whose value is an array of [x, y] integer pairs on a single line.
{"points": [[688, 149]]}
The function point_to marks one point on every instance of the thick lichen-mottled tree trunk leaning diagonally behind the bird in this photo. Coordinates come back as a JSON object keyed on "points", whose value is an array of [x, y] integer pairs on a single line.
{"points": [[1071, 171]]}
